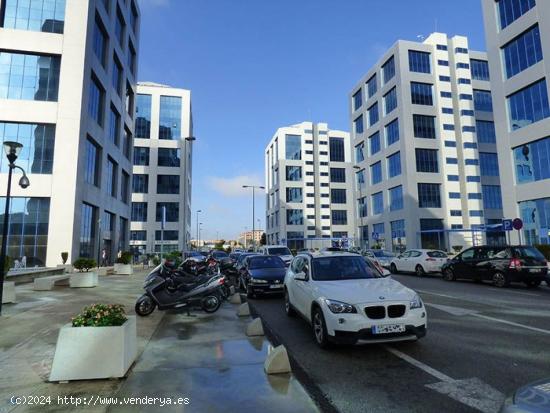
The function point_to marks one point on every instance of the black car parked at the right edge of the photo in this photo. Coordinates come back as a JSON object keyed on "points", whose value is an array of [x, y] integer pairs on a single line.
{"points": [[501, 265]]}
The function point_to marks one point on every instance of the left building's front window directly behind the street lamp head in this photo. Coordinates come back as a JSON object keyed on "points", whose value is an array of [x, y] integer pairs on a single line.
{"points": [[38, 146]]}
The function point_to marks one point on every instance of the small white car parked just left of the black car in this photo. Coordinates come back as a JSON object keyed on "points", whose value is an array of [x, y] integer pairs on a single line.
{"points": [[419, 261]]}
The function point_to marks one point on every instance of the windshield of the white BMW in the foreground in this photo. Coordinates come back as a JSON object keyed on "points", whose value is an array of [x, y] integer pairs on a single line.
{"points": [[342, 268]]}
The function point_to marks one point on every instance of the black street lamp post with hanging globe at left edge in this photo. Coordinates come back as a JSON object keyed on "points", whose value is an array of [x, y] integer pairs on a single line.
{"points": [[12, 149]]}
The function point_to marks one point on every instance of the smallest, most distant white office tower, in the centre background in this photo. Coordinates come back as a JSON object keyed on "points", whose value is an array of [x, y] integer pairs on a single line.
{"points": [[309, 191]]}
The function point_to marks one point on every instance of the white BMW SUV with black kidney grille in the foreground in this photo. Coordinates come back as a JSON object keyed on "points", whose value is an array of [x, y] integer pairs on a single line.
{"points": [[347, 300]]}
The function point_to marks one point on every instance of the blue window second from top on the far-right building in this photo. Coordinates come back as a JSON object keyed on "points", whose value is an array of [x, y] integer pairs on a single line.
{"points": [[522, 52]]}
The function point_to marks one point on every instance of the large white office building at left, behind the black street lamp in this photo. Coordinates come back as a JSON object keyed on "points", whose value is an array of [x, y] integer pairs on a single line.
{"points": [[67, 87]]}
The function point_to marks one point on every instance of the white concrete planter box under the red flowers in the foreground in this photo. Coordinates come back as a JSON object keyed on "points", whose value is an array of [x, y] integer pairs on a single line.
{"points": [[84, 353]]}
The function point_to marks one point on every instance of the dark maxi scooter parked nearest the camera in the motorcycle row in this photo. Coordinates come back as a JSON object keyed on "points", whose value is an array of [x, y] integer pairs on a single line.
{"points": [[167, 290]]}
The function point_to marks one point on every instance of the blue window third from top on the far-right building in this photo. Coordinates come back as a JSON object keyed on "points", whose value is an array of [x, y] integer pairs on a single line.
{"points": [[528, 105]]}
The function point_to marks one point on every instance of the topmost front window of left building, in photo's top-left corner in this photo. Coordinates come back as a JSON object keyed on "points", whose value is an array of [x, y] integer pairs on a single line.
{"points": [[36, 15]]}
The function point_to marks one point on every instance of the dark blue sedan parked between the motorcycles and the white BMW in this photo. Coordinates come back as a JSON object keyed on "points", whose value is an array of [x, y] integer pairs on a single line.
{"points": [[263, 274]]}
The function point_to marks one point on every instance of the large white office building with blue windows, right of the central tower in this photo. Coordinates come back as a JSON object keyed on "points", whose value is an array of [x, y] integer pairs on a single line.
{"points": [[424, 147]]}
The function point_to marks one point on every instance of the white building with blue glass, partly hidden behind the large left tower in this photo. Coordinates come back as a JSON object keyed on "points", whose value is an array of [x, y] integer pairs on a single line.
{"points": [[161, 183]]}
